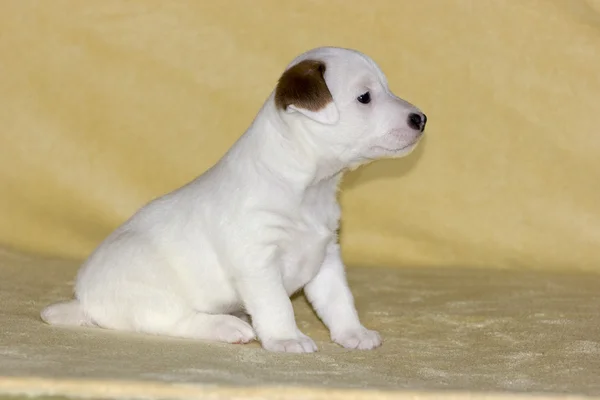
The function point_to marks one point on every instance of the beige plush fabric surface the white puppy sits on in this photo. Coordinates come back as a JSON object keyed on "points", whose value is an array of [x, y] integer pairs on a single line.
{"points": [[445, 331]]}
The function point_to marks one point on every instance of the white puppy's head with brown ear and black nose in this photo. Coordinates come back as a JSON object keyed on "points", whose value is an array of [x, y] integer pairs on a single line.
{"points": [[340, 98]]}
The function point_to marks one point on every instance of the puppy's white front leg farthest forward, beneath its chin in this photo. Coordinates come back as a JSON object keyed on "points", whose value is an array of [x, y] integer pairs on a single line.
{"points": [[330, 296]]}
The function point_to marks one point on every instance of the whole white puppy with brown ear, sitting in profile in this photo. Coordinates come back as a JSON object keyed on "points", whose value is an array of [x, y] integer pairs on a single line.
{"points": [[259, 225]]}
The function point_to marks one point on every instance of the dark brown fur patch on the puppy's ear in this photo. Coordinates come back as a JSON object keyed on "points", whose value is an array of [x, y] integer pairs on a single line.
{"points": [[303, 85]]}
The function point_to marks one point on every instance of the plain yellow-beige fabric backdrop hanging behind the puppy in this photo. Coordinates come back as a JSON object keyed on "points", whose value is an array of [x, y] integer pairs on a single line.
{"points": [[107, 104]]}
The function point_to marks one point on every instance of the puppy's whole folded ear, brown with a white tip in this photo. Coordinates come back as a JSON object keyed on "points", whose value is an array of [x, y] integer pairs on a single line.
{"points": [[302, 89]]}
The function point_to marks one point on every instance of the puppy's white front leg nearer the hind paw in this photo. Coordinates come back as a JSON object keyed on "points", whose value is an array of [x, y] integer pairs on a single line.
{"points": [[270, 307]]}
